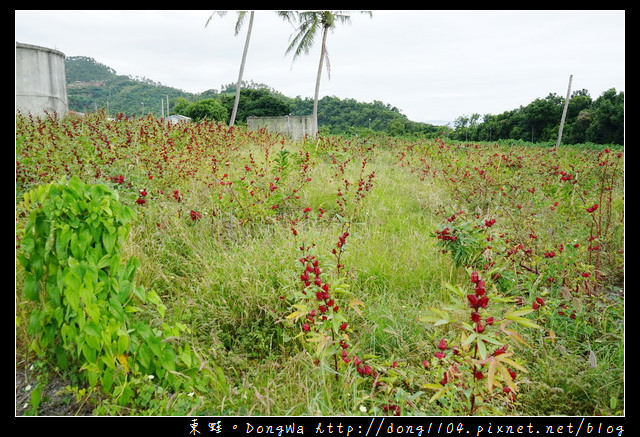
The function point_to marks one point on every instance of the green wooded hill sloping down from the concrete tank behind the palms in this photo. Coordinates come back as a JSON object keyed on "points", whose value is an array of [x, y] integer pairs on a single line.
{"points": [[92, 86]]}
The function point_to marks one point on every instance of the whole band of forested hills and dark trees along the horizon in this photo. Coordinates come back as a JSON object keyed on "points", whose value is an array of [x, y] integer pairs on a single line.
{"points": [[93, 86]]}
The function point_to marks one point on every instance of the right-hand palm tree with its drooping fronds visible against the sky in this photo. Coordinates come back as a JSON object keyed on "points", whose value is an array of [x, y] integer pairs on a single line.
{"points": [[310, 23]]}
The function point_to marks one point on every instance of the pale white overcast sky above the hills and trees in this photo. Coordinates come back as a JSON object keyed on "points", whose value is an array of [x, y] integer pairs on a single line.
{"points": [[430, 64]]}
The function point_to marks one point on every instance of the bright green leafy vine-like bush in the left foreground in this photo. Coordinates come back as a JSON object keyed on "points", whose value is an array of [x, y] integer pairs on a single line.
{"points": [[85, 294]]}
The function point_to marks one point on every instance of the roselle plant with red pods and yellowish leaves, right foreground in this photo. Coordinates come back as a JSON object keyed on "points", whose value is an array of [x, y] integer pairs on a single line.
{"points": [[477, 364]]}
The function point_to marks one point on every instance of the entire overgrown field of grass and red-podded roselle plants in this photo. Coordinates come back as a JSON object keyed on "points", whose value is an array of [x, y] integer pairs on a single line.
{"points": [[209, 270]]}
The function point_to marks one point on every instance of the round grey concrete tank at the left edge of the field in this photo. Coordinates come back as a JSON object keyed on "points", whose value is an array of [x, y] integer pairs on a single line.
{"points": [[41, 82]]}
